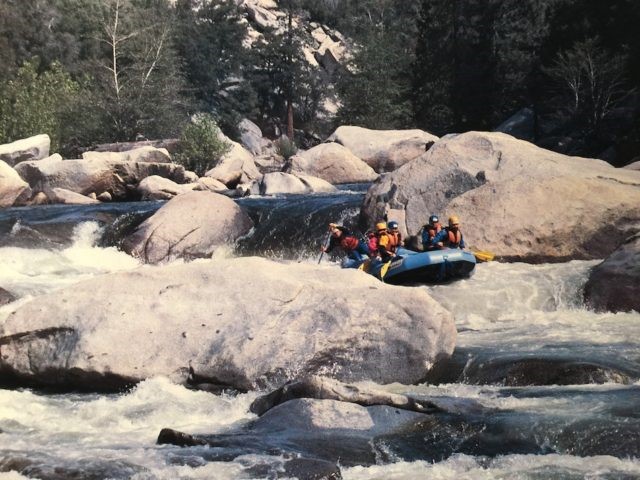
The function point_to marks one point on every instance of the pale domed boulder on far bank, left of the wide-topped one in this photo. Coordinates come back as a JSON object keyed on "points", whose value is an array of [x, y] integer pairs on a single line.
{"points": [[333, 163]]}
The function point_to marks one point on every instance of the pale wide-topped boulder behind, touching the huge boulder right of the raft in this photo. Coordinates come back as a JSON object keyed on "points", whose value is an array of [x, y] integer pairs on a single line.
{"points": [[383, 150]]}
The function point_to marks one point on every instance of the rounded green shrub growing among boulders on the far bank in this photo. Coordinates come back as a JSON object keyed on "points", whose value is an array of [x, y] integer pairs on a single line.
{"points": [[201, 144]]}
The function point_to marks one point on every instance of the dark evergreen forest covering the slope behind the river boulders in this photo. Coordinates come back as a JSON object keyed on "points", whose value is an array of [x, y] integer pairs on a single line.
{"points": [[563, 74]]}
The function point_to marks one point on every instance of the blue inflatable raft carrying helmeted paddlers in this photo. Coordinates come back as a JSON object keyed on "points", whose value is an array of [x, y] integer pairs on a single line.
{"points": [[436, 266]]}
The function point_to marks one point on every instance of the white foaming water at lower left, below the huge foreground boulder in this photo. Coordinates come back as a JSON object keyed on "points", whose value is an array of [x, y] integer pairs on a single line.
{"points": [[113, 426]]}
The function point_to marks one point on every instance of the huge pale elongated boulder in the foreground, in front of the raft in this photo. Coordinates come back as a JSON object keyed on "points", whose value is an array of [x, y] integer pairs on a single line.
{"points": [[243, 322]]}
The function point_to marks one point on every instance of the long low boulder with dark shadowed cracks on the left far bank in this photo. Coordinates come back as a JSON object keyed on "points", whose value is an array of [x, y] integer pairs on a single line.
{"points": [[119, 178]]}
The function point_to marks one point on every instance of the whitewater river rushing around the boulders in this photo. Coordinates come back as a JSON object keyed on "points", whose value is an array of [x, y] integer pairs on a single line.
{"points": [[527, 319]]}
